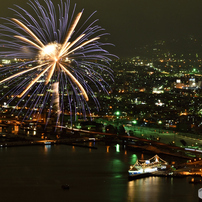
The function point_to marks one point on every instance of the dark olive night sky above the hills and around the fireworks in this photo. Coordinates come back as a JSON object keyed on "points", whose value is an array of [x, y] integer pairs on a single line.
{"points": [[133, 23]]}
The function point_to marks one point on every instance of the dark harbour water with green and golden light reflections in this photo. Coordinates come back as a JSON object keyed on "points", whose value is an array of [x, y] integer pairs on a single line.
{"points": [[36, 174]]}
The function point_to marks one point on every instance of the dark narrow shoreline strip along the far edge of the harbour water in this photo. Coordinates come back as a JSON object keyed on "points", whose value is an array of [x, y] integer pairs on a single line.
{"points": [[79, 142]]}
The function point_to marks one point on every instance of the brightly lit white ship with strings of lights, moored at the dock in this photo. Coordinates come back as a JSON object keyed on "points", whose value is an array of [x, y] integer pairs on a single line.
{"points": [[143, 168]]}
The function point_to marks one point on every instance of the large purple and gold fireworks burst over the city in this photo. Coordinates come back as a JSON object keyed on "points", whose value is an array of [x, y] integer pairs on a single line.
{"points": [[53, 47]]}
